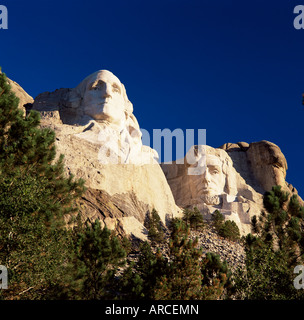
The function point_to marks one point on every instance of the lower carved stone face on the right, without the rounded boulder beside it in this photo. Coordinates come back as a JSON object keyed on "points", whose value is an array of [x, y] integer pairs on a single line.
{"points": [[208, 180]]}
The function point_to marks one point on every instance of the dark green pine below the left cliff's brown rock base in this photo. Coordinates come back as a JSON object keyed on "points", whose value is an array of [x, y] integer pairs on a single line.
{"points": [[98, 256]]}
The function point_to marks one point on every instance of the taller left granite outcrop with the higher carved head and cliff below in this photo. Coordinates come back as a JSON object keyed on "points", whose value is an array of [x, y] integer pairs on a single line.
{"points": [[99, 135]]}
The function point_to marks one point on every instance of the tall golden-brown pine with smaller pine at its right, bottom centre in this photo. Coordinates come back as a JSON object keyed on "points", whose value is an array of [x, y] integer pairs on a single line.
{"points": [[188, 275]]}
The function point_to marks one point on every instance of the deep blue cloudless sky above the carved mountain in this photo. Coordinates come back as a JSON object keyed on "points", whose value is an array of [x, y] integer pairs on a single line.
{"points": [[231, 67]]}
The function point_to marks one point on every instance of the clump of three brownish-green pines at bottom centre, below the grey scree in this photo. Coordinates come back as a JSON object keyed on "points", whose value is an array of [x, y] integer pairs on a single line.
{"points": [[182, 275]]}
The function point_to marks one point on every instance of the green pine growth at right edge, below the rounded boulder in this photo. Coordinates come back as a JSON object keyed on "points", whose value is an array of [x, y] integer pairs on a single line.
{"points": [[274, 251]]}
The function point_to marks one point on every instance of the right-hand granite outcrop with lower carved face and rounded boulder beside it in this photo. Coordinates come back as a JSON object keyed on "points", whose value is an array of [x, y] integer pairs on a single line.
{"points": [[231, 179]]}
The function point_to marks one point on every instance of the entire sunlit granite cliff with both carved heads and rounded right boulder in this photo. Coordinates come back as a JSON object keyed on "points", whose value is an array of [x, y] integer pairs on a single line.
{"points": [[100, 137]]}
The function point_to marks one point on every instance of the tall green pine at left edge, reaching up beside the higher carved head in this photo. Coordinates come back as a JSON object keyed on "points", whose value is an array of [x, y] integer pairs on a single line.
{"points": [[26, 151]]}
